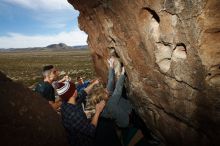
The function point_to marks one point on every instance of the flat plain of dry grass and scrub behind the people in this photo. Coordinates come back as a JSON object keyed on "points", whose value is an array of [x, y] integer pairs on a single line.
{"points": [[26, 66]]}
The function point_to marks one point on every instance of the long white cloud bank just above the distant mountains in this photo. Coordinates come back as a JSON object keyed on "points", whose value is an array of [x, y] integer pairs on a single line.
{"points": [[16, 40]]}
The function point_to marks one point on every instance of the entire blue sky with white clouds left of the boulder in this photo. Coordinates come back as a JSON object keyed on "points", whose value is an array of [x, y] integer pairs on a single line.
{"points": [[38, 23]]}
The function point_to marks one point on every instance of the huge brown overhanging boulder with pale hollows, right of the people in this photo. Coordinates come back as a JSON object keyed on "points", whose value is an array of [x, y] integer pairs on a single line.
{"points": [[170, 49]]}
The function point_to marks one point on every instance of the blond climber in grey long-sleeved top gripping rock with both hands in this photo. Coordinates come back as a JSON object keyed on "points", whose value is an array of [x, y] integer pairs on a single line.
{"points": [[117, 110]]}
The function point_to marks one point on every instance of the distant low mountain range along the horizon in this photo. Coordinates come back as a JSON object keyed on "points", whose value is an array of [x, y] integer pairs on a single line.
{"points": [[52, 47]]}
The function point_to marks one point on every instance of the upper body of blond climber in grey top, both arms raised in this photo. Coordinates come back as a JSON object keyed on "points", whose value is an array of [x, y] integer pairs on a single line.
{"points": [[117, 108]]}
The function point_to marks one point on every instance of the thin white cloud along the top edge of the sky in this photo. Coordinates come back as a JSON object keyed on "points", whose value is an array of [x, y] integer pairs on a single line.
{"points": [[42, 4]]}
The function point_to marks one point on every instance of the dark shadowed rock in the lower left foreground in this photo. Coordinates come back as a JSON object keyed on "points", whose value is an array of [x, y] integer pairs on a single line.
{"points": [[26, 119]]}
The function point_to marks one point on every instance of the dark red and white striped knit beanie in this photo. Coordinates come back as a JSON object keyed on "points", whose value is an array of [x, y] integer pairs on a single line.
{"points": [[65, 90]]}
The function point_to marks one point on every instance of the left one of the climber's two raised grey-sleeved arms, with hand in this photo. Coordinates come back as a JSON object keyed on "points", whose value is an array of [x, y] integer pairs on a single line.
{"points": [[111, 75]]}
